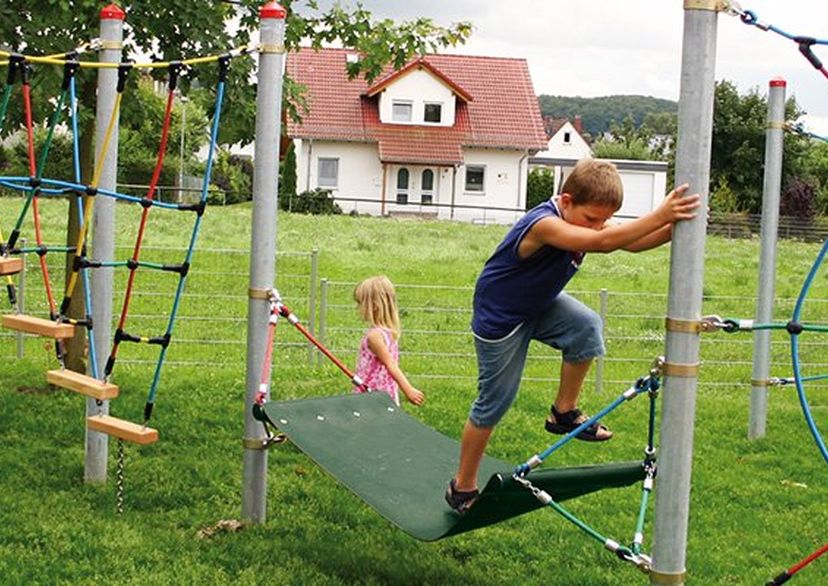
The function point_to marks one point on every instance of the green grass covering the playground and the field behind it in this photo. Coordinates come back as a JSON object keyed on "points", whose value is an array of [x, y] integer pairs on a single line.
{"points": [[757, 506]]}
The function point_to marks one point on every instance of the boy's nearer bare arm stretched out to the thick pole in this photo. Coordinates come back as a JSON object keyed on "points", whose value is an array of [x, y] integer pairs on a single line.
{"points": [[561, 234]]}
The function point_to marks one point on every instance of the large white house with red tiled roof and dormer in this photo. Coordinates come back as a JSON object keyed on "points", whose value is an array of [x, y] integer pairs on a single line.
{"points": [[445, 136]]}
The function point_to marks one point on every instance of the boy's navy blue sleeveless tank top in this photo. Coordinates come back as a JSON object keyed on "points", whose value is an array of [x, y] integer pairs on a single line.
{"points": [[511, 290]]}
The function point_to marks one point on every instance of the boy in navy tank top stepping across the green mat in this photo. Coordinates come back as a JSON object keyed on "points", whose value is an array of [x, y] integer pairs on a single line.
{"points": [[519, 297]]}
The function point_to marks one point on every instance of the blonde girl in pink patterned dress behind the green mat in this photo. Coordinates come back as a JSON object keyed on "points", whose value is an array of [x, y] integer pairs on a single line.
{"points": [[378, 361]]}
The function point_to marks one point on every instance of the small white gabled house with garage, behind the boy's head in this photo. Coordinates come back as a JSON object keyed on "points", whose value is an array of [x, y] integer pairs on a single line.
{"points": [[644, 182]]}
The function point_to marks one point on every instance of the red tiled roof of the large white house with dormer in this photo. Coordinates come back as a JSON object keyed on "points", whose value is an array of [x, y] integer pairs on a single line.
{"points": [[504, 112]]}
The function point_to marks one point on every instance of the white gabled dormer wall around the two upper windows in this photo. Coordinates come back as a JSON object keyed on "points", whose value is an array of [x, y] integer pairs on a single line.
{"points": [[419, 87]]}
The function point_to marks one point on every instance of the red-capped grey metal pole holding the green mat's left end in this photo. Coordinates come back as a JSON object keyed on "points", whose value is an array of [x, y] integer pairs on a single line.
{"points": [[262, 249]]}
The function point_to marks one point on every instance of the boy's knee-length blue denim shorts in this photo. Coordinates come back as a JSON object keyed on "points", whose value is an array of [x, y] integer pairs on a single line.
{"points": [[569, 326]]}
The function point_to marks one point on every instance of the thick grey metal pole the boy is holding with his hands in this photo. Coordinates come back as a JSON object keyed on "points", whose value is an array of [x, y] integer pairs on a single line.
{"points": [[695, 129]]}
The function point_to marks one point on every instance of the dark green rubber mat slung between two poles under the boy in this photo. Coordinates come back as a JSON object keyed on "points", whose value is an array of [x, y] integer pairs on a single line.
{"points": [[401, 468]]}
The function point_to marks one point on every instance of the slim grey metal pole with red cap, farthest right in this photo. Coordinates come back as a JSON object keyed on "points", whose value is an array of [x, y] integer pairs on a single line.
{"points": [[774, 137]]}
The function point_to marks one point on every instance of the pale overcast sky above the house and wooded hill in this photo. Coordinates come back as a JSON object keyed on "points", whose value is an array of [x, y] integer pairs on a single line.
{"points": [[606, 47]]}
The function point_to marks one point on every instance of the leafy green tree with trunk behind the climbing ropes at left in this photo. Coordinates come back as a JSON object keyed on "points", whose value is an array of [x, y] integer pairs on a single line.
{"points": [[163, 30]]}
